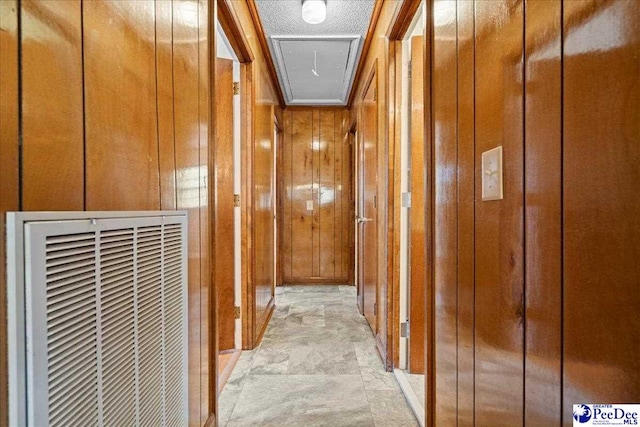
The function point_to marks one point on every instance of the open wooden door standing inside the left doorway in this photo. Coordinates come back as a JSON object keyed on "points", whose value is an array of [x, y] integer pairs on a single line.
{"points": [[224, 214]]}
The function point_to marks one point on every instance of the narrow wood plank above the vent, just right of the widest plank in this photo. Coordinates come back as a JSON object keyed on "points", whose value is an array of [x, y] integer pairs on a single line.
{"points": [[164, 75]]}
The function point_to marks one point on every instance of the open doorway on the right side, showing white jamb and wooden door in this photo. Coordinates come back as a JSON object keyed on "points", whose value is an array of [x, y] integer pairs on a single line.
{"points": [[412, 224]]}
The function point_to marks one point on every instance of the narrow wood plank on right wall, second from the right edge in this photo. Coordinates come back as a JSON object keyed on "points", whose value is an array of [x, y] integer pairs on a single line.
{"points": [[543, 213]]}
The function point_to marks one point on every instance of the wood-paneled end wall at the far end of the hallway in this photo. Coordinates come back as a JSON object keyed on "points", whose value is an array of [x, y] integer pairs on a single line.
{"points": [[316, 244]]}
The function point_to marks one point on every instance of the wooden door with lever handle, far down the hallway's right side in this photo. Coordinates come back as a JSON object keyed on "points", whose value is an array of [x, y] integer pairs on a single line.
{"points": [[368, 245]]}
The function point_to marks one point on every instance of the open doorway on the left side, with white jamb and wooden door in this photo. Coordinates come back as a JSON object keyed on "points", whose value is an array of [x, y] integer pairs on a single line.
{"points": [[227, 220]]}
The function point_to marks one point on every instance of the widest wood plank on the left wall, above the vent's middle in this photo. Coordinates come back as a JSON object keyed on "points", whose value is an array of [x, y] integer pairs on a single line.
{"points": [[120, 101]]}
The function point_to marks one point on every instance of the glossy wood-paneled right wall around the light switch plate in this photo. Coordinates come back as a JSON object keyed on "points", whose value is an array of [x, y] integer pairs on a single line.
{"points": [[537, 294]]}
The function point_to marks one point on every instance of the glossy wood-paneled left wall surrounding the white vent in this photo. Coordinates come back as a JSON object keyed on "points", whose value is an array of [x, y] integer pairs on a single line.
{"points": [[113, 115]]}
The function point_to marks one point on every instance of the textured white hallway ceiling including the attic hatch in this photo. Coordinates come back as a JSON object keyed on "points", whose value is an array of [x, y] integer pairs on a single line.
{"points": [[336, 43]]}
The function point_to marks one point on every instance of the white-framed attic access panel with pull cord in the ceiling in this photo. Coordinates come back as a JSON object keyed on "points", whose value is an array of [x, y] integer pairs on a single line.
{"points": [[316, 70]]}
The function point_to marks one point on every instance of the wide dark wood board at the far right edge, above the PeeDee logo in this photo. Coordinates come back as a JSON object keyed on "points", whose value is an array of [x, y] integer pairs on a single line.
{"points": [[601, 202]]}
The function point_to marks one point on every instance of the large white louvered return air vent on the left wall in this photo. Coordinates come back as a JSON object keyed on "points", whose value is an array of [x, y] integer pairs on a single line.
{"points": [[97, 318]]}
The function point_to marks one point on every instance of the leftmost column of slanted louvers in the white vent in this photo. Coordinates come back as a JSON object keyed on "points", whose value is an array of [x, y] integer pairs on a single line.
{"points": [[71, 329]]}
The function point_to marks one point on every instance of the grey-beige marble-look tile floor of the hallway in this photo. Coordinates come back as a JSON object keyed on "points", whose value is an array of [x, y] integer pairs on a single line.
{"points": [[317, 365]]}
